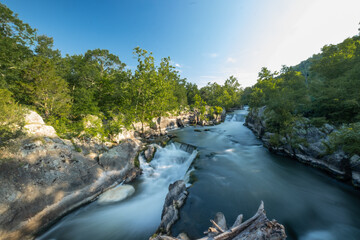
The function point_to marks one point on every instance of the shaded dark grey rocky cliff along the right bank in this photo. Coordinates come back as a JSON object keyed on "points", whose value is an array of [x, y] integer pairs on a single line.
{"points": [[311, 147]]}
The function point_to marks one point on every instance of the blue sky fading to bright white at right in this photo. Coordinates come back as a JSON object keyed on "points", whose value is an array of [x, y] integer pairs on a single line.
{"points": [[207, 40]]}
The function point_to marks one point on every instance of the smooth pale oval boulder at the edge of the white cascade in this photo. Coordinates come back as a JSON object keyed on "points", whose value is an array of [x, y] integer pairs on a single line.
{"points": [[117, 194]]}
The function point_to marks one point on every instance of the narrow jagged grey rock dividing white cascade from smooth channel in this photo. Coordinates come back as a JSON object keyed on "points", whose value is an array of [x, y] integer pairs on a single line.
{"points": [[174, 200]]}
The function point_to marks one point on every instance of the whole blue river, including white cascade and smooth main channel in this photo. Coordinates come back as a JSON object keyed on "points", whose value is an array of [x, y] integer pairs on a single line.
{"points": [[232, 174]]}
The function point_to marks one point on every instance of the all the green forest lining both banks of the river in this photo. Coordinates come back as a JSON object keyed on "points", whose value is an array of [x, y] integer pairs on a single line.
{"points": [[67, 90]]}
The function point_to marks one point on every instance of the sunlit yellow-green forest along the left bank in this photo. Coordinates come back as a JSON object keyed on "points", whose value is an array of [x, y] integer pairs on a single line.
{"points": [[68, 90]]}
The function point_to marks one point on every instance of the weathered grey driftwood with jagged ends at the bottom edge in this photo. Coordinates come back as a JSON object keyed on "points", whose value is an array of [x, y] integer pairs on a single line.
{"points": [[256, 227]]}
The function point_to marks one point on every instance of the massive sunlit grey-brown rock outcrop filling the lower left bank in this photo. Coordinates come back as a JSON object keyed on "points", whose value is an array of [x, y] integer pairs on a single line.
{"points": [[43, 177]]}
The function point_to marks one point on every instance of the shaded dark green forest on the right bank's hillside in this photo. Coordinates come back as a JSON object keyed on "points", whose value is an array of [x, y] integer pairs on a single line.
{"points": [[324, 89]]}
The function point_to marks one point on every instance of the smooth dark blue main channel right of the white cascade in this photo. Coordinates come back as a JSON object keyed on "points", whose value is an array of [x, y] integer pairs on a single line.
{"points": [[235, 172]]}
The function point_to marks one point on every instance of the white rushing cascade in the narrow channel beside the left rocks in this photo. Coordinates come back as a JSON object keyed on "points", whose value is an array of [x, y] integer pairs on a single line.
{"points": [[136, 217]]}
